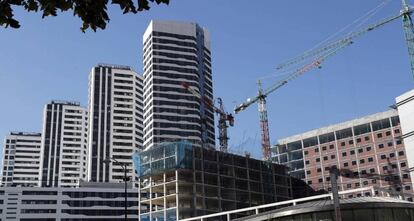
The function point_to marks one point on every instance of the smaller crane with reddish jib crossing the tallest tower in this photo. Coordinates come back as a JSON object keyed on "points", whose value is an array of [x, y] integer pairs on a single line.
{"points": [[225, 119]]}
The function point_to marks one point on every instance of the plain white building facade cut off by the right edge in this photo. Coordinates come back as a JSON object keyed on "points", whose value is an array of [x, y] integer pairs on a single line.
{"points": [[405, 106]]}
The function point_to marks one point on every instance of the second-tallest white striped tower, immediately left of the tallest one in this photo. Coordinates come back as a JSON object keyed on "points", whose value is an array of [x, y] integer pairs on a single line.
{"points": [[115, 121]]}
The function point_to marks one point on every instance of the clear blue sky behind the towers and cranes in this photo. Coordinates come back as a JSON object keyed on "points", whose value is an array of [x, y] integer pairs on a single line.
{"points": [[51, 58]]}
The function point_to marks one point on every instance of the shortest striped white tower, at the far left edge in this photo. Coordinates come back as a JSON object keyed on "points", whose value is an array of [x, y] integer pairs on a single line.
{"points": [[21, 159]]}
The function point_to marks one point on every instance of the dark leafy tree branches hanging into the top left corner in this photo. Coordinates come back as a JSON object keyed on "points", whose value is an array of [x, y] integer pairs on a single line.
{"points": [[93, 13]]}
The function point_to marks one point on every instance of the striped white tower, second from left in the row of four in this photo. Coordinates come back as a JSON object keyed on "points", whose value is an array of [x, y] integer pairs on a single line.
{"points": [[64, 144]]}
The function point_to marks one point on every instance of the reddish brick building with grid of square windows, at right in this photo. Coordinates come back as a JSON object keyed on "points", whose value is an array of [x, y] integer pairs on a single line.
{"points": [[369, 151]]}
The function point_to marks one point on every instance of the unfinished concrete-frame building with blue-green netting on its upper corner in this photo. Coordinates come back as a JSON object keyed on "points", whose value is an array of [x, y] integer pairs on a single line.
{"points": [[179, 180]]}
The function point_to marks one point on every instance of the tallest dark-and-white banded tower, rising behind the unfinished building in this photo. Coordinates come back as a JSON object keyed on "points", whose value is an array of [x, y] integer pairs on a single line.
{"points": [[176, 52]]}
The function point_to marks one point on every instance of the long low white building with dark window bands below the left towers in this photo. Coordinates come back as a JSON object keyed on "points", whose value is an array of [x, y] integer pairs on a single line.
{"points": [[92, 202]]}
